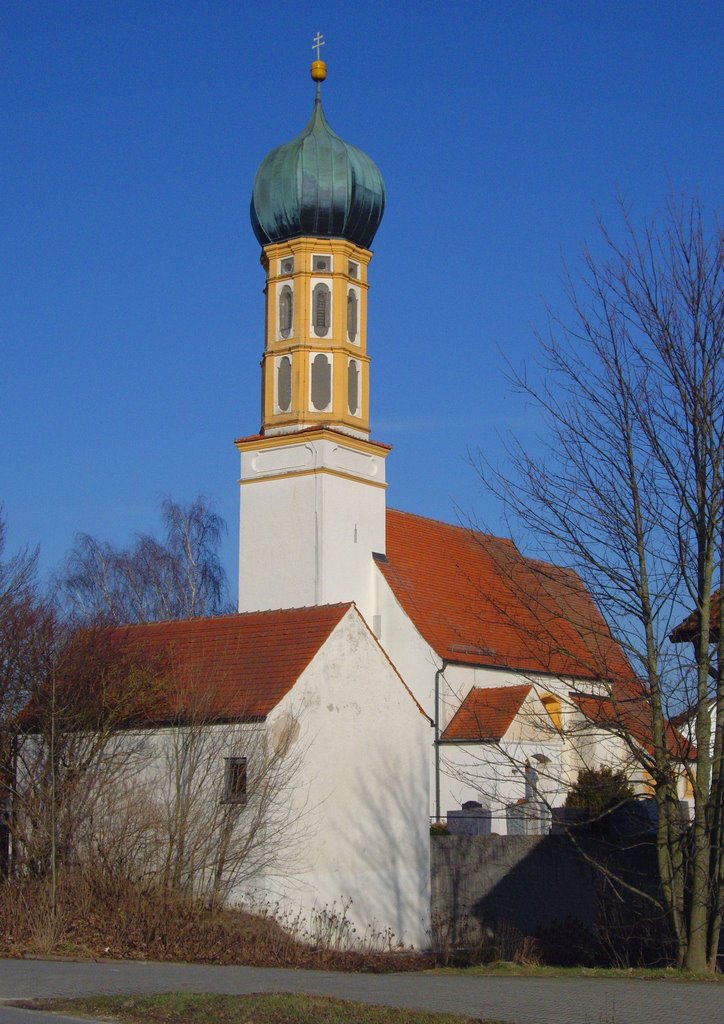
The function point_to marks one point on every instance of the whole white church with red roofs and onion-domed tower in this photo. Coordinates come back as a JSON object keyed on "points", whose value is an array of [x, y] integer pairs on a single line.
{"points": [[428, 666]]}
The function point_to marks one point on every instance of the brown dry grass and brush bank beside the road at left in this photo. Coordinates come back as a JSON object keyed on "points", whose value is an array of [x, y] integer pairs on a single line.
{"points": [[99, 917]]}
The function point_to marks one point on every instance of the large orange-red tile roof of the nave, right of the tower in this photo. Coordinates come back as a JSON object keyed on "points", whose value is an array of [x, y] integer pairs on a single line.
{"points": [[476, 600]]}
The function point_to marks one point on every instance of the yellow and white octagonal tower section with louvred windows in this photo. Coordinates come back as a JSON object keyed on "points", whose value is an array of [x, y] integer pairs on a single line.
{"points": [[316, 365]]}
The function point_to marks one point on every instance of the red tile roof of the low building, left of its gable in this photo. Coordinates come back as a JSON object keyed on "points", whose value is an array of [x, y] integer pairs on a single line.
{"points": [[236, 666]]}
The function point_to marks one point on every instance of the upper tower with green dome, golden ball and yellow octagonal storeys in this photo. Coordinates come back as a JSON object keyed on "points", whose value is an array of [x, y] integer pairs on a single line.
{"points": [[316, 207]]}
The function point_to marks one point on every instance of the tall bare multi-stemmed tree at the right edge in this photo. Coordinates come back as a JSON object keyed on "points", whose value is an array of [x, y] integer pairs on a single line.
{"points": [[629, 493]]}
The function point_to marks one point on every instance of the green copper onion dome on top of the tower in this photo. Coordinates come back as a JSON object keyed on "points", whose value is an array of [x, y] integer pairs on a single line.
{"points": [[318, 186]]}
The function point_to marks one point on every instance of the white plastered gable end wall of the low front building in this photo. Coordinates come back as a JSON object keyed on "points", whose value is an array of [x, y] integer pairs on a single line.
{"points": [[366, 805]]}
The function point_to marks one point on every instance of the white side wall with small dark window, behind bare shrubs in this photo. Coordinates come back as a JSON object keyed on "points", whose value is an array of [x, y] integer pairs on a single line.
{"points": [[155, 800]]}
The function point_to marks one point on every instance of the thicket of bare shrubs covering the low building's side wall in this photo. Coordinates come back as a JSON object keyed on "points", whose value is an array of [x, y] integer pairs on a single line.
{"points": [[131, 764]]}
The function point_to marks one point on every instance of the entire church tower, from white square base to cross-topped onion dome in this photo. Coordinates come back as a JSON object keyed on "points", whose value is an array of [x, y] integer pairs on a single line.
{"points": [[313, 483]]}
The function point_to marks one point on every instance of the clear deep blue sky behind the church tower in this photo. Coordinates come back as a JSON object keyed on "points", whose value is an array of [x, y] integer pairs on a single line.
{"points": [[132, 318]]}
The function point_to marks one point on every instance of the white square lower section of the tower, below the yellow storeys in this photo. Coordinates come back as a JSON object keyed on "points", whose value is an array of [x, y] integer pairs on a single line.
{"points": [[312, 516]]}
